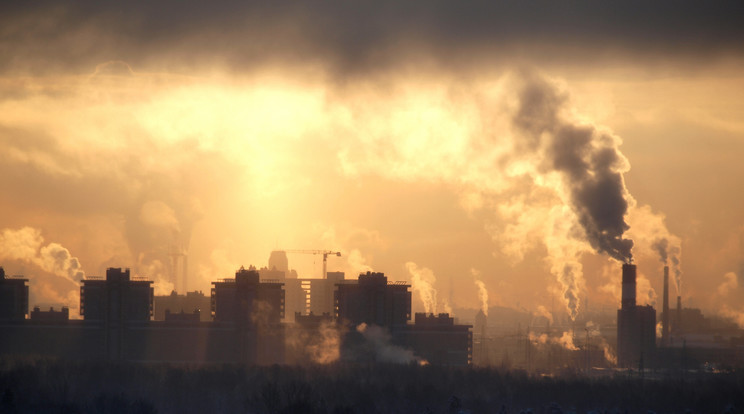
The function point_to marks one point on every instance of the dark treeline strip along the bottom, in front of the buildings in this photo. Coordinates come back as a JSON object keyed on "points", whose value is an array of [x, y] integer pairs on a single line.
{"points": [[46, 386]]}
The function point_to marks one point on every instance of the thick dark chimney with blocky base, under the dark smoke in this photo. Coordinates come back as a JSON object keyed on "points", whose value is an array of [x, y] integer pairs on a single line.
{"points": [[636, 326]]}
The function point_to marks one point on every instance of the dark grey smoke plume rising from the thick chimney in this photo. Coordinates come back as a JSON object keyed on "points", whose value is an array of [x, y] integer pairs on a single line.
{"points": [[589, 162]]}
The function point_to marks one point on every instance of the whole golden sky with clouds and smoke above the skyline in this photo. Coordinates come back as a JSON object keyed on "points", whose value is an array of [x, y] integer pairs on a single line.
{"points": [[530, 147]]}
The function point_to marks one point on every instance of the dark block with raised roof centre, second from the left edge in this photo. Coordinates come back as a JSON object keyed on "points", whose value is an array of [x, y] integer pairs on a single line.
{"points": [[117, 298]]}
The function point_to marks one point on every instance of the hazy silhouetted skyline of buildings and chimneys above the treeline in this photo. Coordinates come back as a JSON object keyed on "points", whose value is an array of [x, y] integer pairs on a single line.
{"points": [[269, 316]]}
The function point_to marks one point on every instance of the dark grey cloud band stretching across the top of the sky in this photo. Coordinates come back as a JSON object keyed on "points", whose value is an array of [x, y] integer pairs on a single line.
{"points": [[357, 37]]}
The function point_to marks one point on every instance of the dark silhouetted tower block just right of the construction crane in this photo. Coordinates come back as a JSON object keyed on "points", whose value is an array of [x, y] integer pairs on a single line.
{"points": [[373, 300]]}
